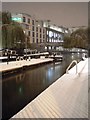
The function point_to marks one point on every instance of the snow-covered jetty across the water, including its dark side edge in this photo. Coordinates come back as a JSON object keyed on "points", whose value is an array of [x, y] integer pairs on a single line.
{"points": [[15, 66]]}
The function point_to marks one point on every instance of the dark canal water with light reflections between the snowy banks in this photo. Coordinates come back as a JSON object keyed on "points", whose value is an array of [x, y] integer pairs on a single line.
{"points": [[21, 88]]}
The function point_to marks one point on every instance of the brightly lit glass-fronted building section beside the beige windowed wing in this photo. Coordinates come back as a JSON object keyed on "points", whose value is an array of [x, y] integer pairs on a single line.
{"points": [[54, 36]]}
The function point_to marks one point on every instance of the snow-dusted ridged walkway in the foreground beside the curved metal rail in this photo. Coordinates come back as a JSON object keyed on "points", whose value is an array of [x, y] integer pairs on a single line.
{"points": [[65, 98]]}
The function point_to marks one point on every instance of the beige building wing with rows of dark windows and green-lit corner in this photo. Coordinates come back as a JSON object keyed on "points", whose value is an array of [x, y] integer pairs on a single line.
{"points": [[31, 27]]}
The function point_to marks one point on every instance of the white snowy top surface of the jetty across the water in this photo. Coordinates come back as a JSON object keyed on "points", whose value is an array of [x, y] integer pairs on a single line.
{"points": [[18, 64]]}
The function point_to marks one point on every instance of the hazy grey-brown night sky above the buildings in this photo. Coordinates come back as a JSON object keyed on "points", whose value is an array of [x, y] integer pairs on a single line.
{"points": [[67, 14]]}
